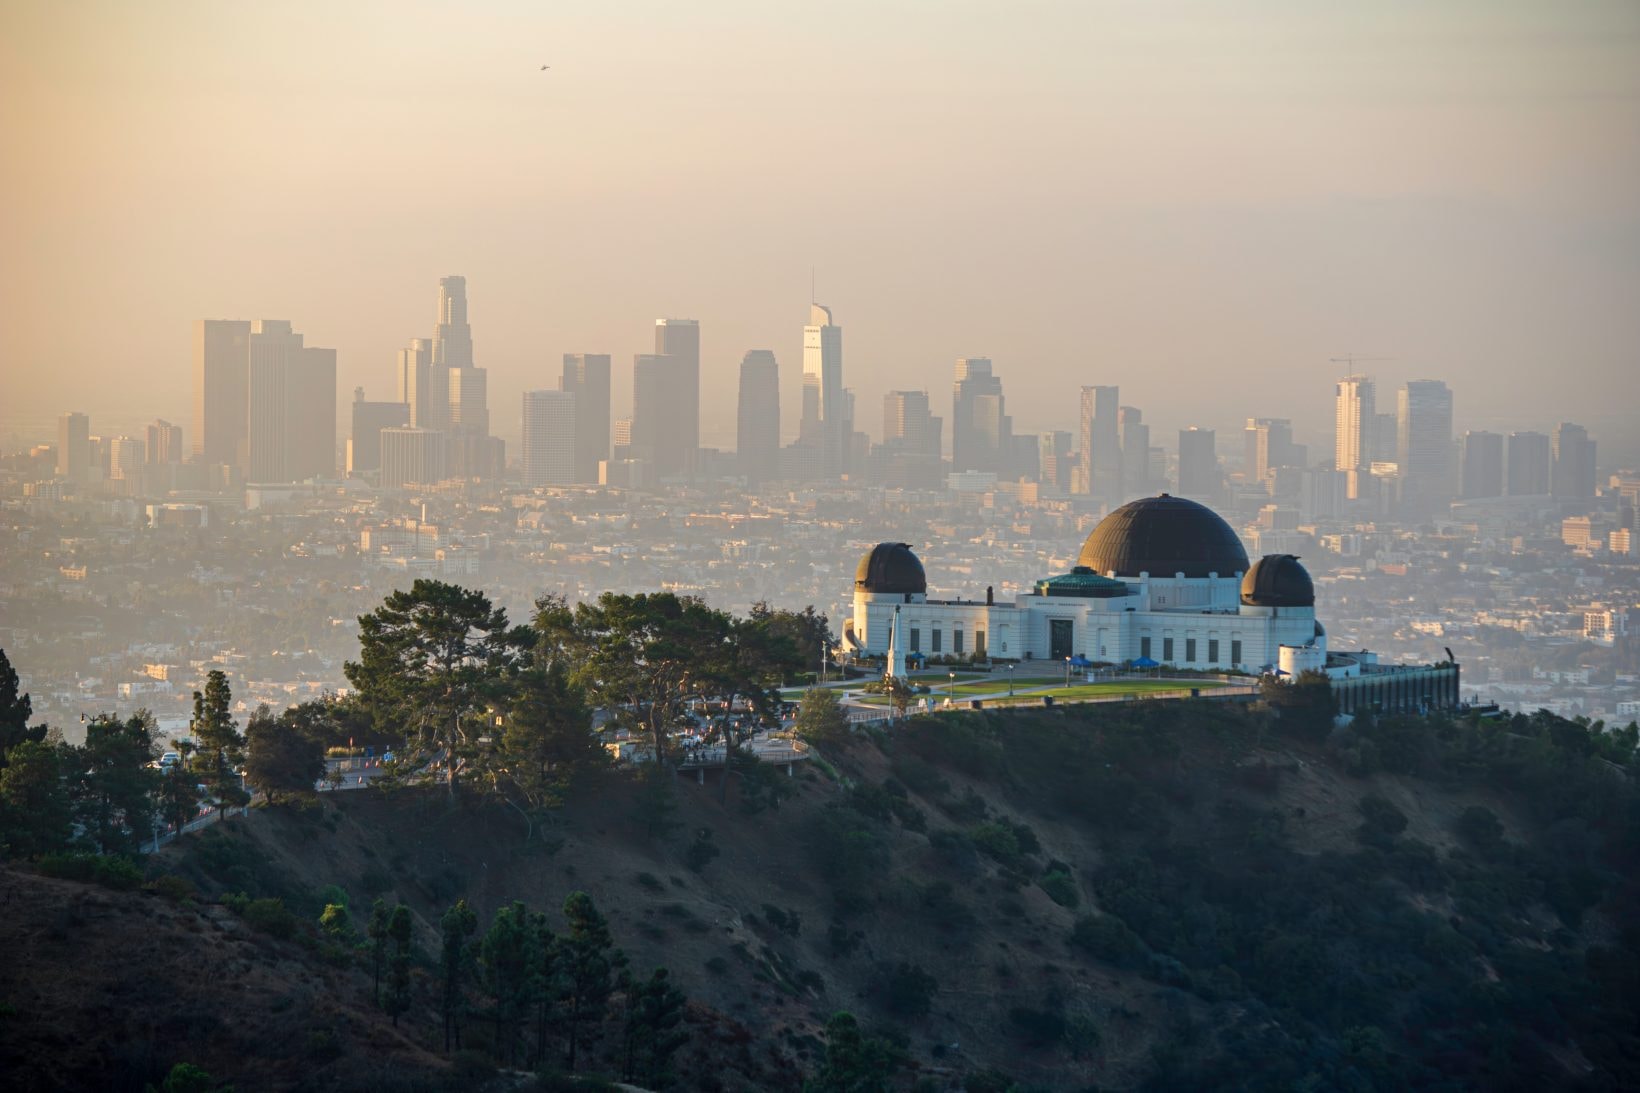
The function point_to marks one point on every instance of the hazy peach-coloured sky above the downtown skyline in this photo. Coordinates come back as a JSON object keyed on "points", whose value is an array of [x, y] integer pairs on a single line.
{"points": [[1196, 203]]}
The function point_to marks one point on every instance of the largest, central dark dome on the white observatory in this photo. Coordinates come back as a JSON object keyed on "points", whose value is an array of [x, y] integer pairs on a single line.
{"points": [[1162, 537]]}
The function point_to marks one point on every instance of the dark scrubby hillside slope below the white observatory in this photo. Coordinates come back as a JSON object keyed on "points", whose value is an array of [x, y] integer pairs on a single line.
{"points": [[1149, 897]]}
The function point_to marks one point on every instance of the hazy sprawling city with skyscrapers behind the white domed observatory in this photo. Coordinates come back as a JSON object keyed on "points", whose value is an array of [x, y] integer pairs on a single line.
{"points": [[252, 539]]}
